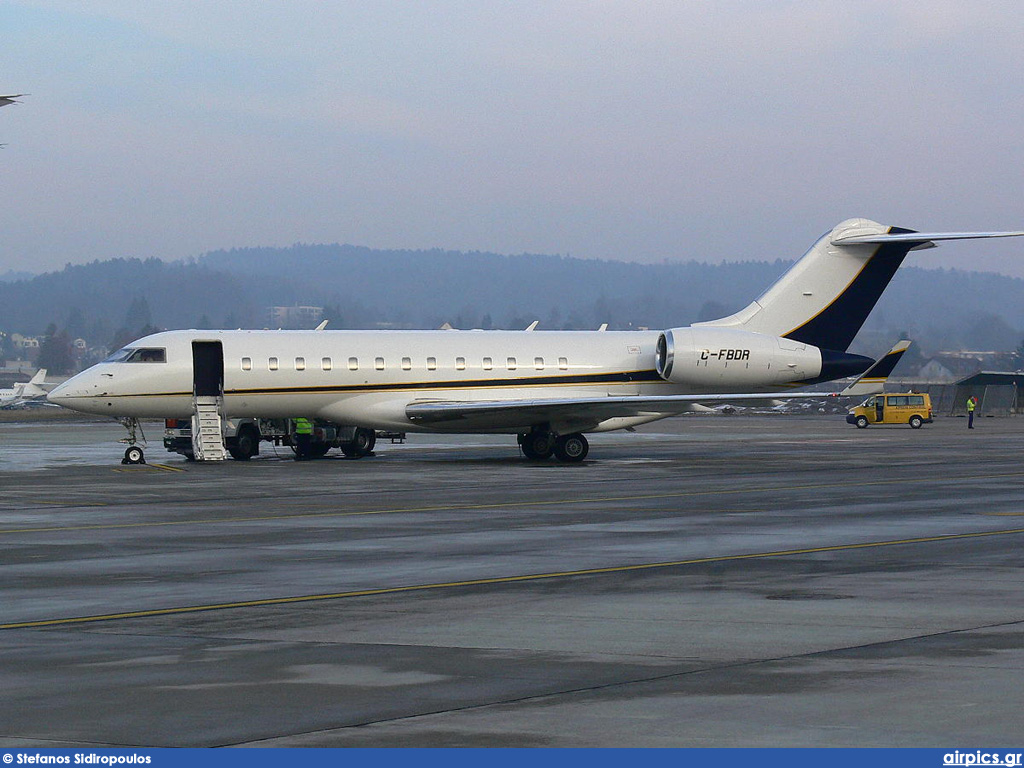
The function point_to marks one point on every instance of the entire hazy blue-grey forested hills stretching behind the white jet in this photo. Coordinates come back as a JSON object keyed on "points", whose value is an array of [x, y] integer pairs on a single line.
{"points": [[364, 288]]}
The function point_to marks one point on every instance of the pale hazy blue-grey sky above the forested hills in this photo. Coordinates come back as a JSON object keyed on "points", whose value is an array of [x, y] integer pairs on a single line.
{"points": [[628, 131]]}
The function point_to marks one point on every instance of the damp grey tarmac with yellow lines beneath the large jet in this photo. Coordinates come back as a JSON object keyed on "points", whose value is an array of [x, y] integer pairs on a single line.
{"points": [[709, 581]]}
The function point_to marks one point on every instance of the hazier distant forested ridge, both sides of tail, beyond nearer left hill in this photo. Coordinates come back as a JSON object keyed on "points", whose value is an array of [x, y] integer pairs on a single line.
{"points": [[943, 309]]}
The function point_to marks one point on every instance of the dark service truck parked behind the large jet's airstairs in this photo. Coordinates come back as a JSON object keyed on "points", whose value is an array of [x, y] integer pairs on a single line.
{"points": [[243, 438]]}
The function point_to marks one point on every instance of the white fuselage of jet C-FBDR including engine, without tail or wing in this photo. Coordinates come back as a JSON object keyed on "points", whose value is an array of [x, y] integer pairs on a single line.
{"points": [[368, 378]]}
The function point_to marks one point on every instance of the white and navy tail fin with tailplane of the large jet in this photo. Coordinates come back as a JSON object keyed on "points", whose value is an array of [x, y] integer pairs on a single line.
{"points": [[826, 297]]}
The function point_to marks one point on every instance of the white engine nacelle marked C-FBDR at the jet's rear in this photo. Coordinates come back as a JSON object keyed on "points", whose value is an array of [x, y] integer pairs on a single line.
{"points": [[724, 359]]}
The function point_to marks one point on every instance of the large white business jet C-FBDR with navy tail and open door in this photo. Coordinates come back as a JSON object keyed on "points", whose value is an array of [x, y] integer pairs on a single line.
{"points": [[549, 389]]}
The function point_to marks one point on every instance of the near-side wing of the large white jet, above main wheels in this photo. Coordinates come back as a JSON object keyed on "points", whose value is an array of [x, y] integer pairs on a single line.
{"points": [[581, 413]]}
